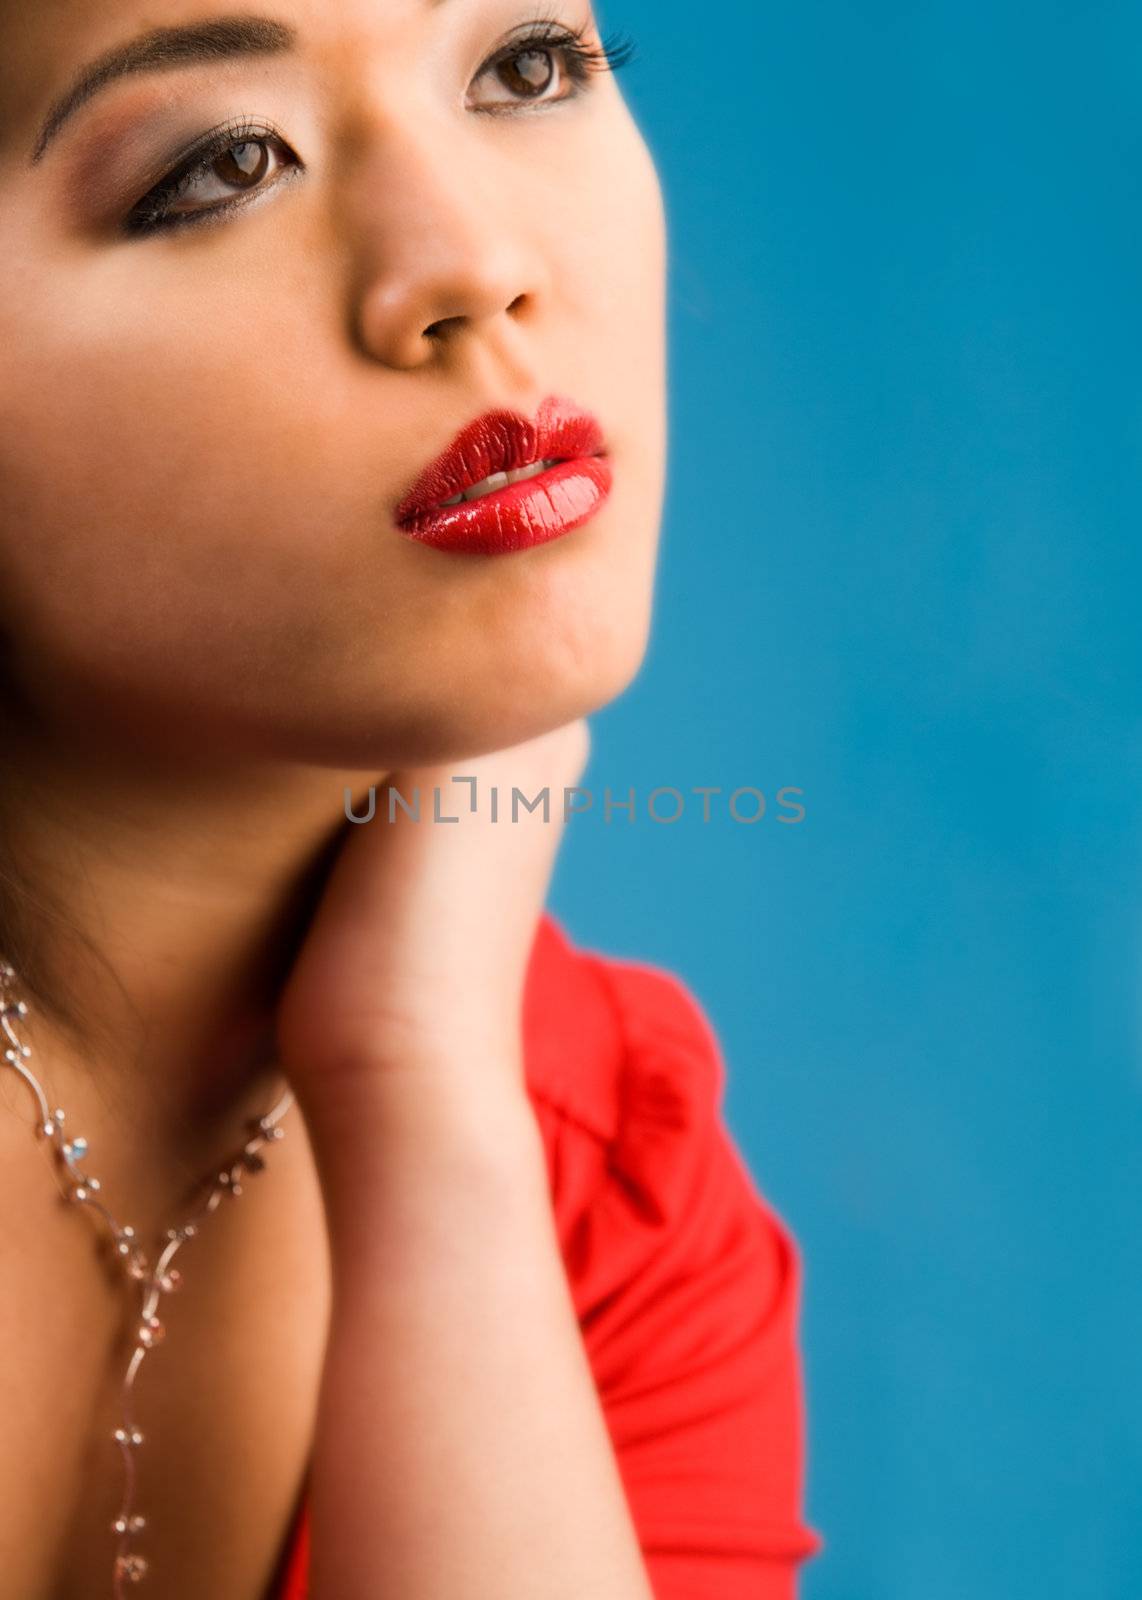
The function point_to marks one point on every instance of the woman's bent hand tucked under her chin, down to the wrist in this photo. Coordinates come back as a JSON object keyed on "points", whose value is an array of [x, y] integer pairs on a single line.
{"points": [[417, 956]]}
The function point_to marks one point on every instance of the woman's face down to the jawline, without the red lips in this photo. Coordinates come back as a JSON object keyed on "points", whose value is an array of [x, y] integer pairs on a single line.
{"points": [[206, 430]]}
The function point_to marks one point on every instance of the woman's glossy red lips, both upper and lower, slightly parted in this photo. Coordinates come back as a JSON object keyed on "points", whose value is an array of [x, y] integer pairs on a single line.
{"points": [[522, 514]]}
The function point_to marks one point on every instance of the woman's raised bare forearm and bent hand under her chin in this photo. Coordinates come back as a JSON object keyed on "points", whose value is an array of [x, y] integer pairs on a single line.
{"points": [[474, 1460]]}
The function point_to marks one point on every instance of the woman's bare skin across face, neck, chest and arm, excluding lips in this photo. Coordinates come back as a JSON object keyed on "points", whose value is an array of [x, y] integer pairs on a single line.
{"points": [[209, 631]]}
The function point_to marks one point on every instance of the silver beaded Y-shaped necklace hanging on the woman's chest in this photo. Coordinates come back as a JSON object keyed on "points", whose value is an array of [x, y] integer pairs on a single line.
{"points": [[145, 1279]]}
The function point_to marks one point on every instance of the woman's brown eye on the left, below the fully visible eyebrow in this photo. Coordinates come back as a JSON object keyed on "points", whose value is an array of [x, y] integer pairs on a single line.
{"points": [[230, 167]]}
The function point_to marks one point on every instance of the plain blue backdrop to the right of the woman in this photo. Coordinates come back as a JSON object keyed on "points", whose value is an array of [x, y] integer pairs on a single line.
{"points": [[901, 570]]}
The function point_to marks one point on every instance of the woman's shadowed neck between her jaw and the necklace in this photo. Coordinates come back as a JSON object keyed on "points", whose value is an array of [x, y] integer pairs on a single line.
{"points": [[159, 916]]}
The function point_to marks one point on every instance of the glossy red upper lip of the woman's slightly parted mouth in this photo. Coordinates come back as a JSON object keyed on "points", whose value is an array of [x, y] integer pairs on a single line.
{"points": [[503, 441]]}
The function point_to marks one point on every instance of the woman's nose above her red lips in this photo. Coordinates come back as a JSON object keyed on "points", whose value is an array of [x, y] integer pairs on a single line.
{"points": [[447, 247]]}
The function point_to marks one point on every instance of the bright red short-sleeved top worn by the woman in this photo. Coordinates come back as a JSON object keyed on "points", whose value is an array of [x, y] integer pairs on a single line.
{"points": [[685, 1279]]}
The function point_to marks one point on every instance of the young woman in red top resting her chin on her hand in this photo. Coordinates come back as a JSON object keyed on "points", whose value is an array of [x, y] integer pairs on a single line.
{"points": [[332, 460]]}
